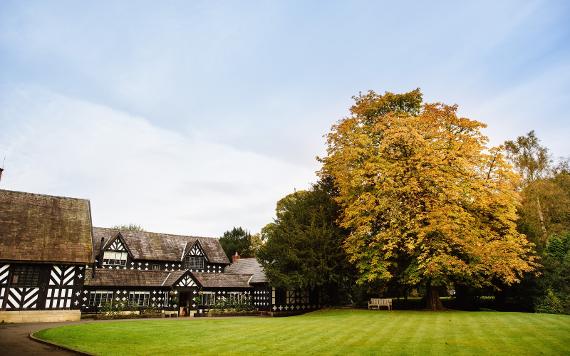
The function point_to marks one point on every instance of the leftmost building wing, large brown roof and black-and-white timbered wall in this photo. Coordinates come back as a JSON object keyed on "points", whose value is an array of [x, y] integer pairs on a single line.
{"points": [[45, 244]]}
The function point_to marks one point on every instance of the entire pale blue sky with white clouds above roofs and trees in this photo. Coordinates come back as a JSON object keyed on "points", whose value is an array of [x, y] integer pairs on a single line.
{"points": [[193, 117]]}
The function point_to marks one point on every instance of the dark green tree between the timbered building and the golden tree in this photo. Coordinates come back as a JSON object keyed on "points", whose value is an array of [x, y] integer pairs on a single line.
{"points": [[303, 245]]}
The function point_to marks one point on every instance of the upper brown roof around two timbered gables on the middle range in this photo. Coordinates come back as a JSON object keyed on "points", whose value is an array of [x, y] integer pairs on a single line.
{"points": [[160, 247]]}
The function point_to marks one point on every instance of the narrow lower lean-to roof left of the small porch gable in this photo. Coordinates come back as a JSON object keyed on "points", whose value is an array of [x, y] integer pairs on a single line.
{"points": [[131, 278]]}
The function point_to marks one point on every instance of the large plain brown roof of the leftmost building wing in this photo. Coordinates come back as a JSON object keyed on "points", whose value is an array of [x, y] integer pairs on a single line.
{"points": [[43, 228]]}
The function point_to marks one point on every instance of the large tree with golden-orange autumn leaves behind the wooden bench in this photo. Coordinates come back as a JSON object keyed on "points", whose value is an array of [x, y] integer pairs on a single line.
{"points": [[424, 198]]}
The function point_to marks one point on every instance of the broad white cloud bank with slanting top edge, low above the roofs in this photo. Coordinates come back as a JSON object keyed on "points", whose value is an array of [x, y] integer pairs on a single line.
{"points": [[135, 172]]}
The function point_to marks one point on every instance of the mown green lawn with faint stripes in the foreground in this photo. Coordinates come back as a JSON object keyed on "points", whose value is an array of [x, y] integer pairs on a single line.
{"points": [[327, 332]]}
